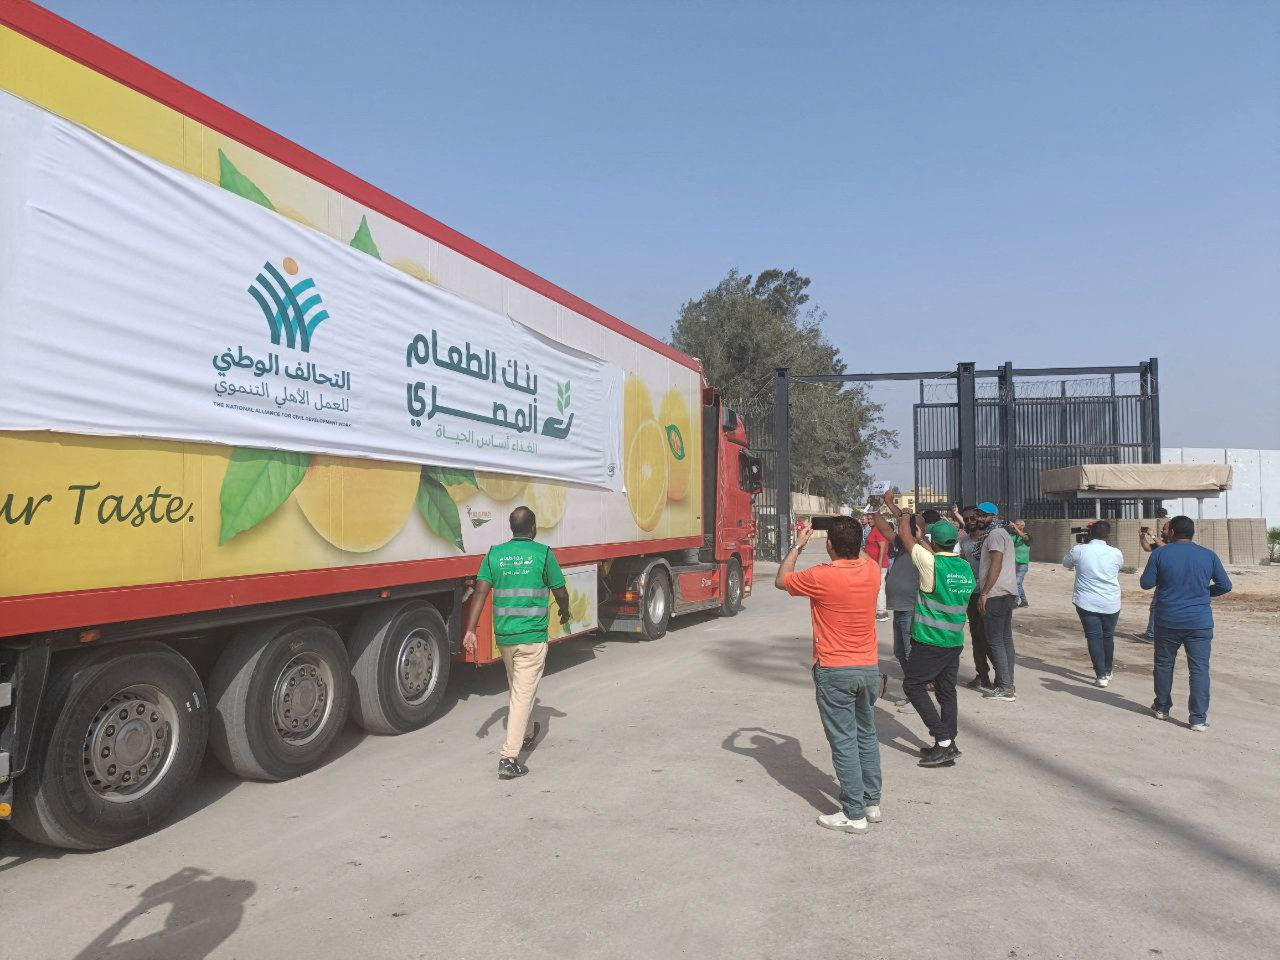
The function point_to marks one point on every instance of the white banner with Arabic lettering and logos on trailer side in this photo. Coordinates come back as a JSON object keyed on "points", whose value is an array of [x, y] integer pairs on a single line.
{"points": [[139, 300]]}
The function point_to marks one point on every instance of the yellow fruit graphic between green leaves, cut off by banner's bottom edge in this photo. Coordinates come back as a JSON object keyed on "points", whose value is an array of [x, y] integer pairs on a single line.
{"points": [[358, 505]]}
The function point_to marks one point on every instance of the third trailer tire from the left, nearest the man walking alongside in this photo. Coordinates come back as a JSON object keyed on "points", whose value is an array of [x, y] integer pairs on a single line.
{"points": [[400, 666]]}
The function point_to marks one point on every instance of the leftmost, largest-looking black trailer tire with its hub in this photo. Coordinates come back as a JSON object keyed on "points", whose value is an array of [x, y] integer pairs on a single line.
{"points": [[124, 737]]}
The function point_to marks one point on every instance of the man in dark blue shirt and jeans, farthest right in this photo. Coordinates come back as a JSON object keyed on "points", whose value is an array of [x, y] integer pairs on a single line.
{"points": [[1185, 577]]}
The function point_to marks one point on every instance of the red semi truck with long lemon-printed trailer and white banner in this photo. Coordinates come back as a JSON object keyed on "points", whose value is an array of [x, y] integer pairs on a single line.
{"points": [[259, 424]]}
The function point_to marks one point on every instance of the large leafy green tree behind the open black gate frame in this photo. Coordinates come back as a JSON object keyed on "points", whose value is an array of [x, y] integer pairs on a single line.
{"points": [[744, 328]]}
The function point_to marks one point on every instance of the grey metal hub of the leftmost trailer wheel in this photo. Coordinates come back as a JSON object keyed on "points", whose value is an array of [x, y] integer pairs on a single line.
{"points": [[129, 743]]}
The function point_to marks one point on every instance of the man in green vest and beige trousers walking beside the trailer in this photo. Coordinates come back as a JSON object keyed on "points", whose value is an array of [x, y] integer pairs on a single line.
{"points": [[523, 577]]}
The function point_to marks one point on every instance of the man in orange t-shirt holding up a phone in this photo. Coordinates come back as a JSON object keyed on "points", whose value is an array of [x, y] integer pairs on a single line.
{"points": [[845, 665]]}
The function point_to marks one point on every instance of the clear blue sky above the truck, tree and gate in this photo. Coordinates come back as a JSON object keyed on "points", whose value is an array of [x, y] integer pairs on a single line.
{"points": [[1053, 184]]}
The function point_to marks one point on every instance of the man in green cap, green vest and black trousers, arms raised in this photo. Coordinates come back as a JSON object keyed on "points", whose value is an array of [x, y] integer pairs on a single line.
{"points": [[938, 632]]}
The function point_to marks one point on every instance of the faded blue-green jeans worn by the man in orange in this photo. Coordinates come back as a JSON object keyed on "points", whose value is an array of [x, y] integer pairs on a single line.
{"points": [[847, 698]]}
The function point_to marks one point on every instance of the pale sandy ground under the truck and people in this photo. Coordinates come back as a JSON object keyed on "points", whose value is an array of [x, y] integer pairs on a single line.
{"points": [[670, 812]]}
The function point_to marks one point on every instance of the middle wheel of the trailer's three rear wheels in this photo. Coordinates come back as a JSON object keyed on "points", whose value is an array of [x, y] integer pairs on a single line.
{"points": [[281, 694]]}
